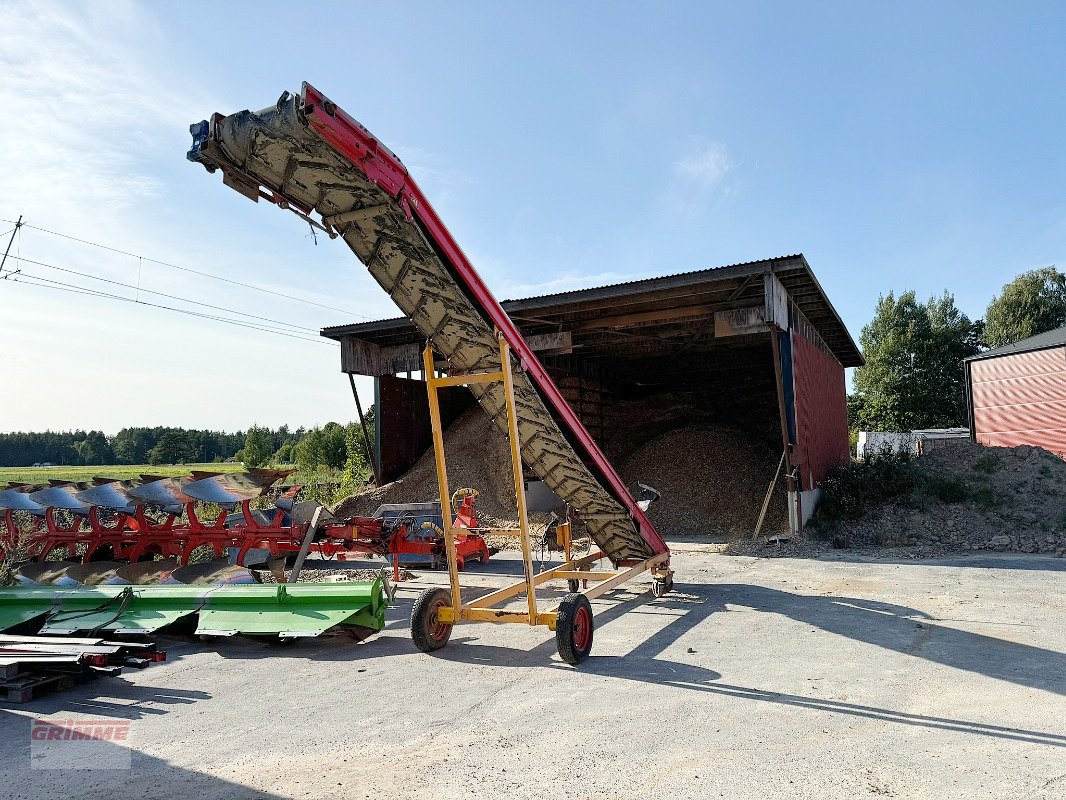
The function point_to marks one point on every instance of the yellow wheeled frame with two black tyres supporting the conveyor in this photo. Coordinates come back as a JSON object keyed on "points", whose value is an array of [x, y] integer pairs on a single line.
{"points": [[438, 611]]}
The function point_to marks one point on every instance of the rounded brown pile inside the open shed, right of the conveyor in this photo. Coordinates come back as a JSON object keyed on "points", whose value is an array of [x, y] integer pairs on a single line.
{"points": [[714, 481]]}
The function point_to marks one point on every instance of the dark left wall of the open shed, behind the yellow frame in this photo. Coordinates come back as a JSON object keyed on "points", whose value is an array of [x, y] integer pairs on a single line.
{"points": [[403, 428]]}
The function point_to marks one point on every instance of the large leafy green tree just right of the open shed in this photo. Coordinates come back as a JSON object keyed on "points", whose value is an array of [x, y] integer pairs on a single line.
{"points": [[914, 356]]}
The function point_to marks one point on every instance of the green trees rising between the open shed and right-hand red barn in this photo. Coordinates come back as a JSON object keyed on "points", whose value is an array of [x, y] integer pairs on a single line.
{"points": [[914, 376]]}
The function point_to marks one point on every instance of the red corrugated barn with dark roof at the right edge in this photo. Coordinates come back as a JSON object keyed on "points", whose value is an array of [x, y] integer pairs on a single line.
{"points": [[1016, 394]]}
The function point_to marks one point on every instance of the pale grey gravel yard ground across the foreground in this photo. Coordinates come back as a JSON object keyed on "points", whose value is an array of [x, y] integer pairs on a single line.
{"points": [[833, 678]]}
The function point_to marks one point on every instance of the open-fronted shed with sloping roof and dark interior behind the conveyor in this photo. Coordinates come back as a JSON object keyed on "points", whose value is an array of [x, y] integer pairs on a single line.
{"points": [[756, 347]]}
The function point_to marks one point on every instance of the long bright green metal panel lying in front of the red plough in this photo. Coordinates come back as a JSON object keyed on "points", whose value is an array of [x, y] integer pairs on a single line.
{"points": [[304, 610]]}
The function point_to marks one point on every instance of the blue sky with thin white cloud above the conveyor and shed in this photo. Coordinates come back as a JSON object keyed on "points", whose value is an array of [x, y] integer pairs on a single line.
{"points": [[908, 146]]}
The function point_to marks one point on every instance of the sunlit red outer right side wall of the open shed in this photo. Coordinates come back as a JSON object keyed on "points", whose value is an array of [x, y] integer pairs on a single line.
{"points": [[821, 412]]}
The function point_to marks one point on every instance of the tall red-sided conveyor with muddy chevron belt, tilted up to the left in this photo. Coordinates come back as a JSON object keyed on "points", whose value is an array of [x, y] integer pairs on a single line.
{"points": [[308, 155]]}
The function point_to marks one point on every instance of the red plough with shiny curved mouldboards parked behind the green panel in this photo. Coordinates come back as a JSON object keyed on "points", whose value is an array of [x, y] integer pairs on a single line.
{"points": [[167, 518]]}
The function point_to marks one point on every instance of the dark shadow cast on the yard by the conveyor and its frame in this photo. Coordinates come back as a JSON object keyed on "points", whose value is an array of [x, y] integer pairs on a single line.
{"points": [[894, 628]]}
